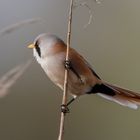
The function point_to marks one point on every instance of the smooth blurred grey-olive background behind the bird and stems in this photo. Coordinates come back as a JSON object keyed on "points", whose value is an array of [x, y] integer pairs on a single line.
{"points": [[110, 43]]}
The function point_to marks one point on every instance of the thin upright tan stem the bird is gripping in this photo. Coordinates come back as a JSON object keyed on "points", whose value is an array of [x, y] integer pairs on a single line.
{"points": [[64, 99]]}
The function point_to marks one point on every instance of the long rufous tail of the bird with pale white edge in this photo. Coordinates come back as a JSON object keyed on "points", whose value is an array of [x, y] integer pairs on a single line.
{"points": [[121, 96]]}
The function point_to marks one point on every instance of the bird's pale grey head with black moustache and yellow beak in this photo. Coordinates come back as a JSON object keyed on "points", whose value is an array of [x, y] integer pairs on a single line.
{"points": [[46, 45]]}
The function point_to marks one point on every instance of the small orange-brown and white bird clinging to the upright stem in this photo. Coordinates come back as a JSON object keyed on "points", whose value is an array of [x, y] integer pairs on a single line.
{"points": [[50, 52]]}
